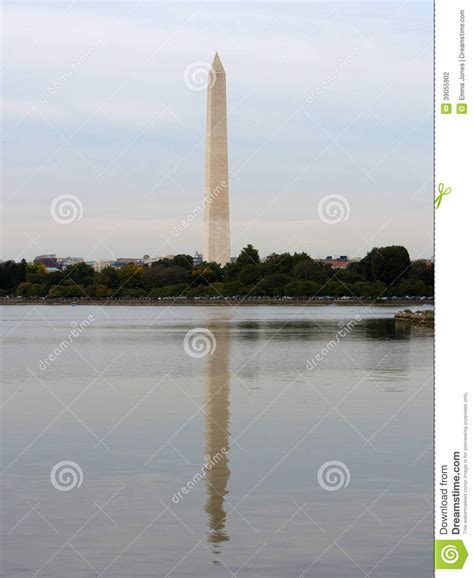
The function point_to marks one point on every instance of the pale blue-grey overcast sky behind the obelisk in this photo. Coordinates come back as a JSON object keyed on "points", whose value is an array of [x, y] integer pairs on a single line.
{"points": [[323, 99]]}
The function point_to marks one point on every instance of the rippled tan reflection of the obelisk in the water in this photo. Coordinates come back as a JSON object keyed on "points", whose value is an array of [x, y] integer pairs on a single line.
{"points": [[217, 415]]}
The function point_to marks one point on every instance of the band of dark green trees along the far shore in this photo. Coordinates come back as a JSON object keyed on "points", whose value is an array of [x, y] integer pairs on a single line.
{"points": [[384, 271]]}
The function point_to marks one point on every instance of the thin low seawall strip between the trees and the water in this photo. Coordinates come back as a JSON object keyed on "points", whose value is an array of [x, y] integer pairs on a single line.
{"points": [[215, 303]]}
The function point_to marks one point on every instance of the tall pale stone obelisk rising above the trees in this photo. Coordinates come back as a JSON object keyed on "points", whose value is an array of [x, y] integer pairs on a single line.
{"points": [[216, 195]]}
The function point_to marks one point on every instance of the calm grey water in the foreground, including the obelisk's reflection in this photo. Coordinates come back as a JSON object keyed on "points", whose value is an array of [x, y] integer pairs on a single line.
{"points": [[137, 414]]}
